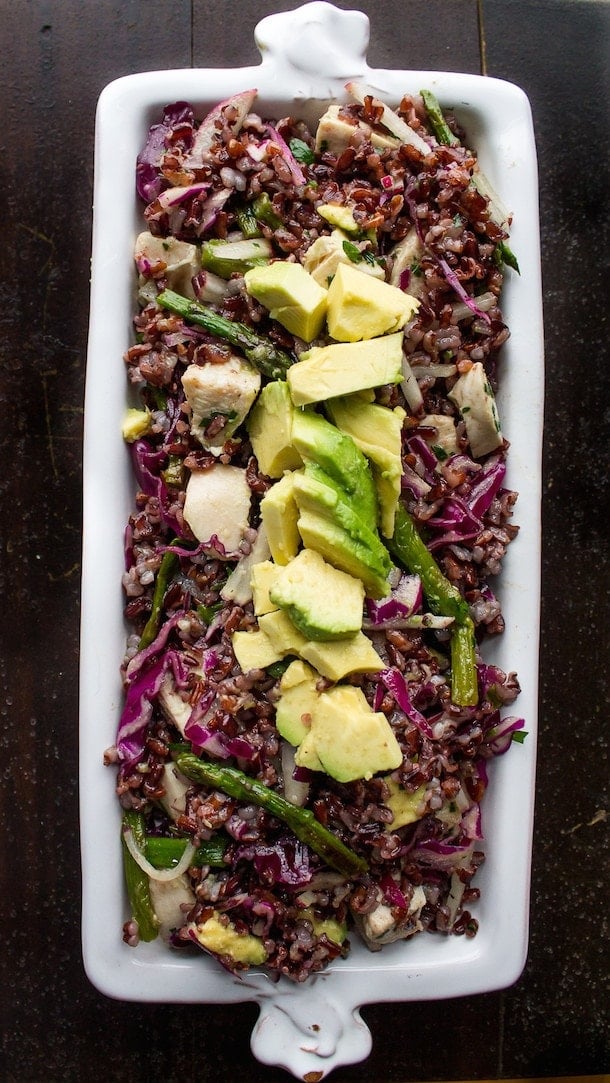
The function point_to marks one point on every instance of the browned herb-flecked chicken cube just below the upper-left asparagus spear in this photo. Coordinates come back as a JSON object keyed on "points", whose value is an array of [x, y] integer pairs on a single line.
{"points": [[220, 392]]}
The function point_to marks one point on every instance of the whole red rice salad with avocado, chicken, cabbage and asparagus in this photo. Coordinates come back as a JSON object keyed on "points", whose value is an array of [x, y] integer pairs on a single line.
{"points": [[320, 515]]}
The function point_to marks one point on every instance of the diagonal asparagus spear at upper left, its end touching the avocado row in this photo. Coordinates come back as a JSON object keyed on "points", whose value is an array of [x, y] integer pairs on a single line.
{"points": [[258, 349]]}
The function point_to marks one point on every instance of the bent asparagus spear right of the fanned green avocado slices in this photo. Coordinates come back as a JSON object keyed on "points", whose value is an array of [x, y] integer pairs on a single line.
{"points": [[444, 599]]}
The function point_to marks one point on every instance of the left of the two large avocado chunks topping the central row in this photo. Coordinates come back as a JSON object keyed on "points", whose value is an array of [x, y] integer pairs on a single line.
{"points": [[292, 296]]}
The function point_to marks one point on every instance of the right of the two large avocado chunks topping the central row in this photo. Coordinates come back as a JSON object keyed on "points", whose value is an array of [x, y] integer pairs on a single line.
{"points": [[360, 308]]}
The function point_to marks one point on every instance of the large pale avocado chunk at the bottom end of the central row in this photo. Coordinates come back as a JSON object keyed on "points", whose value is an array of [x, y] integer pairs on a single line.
{"points": [[349, 738]]}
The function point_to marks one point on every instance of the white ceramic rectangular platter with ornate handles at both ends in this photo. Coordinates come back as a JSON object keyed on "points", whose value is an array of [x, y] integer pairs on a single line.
{"points": [[308, 56]]}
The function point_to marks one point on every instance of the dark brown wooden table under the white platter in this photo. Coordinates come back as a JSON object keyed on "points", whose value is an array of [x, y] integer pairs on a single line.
{"points": [[57, 57]]}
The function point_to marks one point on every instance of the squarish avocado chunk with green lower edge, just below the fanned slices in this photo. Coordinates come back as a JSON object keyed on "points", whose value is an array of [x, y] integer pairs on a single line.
{"points": [[322, 602]]}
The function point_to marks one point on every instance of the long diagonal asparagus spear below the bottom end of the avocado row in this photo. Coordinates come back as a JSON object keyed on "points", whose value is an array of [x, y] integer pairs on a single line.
{"points": [[303, 823]]}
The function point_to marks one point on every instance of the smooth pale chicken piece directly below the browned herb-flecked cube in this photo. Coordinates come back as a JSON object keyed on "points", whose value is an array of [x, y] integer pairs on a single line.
{"points": [[218, 503]]}
